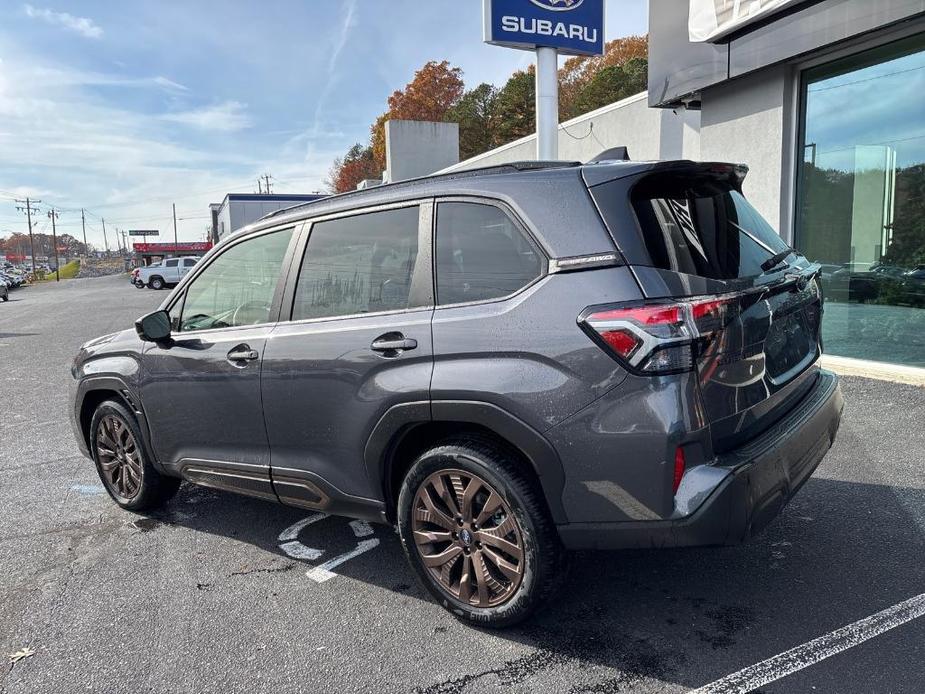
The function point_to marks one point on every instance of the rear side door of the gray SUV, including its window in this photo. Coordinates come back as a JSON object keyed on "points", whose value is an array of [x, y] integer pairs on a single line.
{"points": [[359, 342]]}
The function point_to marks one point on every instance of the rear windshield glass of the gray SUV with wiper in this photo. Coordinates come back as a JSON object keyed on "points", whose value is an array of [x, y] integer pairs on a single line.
{"points": [[702, 226]]}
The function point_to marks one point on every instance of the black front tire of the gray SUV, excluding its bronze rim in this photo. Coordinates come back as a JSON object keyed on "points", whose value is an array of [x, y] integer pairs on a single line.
{"points": [[154, 489]]}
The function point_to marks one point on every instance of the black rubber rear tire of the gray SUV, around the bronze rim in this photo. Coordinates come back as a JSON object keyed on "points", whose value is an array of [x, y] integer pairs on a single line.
{"points": [[544, 563]]}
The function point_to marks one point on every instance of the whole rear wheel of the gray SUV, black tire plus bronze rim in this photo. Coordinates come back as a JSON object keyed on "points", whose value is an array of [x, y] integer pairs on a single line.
{"points": [[477, 533]]}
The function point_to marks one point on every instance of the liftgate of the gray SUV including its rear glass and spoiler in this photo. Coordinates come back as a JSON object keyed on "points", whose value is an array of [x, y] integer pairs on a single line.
{"points": [[697, 237]]}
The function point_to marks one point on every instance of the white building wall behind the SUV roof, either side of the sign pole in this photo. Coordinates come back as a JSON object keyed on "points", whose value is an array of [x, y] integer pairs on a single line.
{"points": [[648, 133]]}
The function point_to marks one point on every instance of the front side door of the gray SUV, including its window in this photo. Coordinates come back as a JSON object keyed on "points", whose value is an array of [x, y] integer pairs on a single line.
{"points": [[201, 391]]}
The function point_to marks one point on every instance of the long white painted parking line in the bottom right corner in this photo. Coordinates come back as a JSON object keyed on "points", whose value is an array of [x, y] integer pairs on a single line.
{"points": [[812, 652]]}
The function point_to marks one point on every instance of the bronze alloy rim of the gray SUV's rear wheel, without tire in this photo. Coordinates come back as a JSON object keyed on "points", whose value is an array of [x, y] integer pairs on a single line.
{"points": [[468, 539]]}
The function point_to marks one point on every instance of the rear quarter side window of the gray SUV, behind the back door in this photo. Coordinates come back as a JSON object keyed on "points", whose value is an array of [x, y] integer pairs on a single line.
{"points": [[481, 254]]}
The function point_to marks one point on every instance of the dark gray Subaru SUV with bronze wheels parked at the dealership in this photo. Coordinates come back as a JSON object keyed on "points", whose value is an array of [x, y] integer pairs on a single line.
{"points": [[504, 363]]}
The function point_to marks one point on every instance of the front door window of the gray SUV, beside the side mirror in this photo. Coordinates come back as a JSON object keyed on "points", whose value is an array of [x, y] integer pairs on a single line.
{"points": [[237, 287]]}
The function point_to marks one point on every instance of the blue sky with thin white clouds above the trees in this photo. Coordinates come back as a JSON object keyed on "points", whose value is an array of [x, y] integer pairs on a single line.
{"points": [[124, 108]]}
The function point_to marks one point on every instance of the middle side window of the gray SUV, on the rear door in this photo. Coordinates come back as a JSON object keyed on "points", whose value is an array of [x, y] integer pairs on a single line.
{"points": [[360, 264]]}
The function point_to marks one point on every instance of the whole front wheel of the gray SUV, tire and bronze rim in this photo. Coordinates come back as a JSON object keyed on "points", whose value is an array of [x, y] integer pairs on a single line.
{"points": [[122, 462]]}
